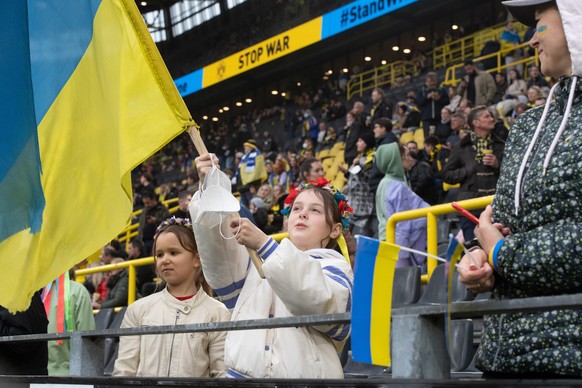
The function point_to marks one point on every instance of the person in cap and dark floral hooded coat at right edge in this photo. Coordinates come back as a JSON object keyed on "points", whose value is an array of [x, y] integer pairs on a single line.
{"points": [[530, 237]]}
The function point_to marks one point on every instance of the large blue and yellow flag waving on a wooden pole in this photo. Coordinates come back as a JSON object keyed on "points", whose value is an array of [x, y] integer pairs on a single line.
{"points": [[85, 97]]}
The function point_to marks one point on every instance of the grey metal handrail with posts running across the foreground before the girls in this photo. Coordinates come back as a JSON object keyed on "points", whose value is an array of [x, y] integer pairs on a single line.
{"points": [[409, 325]]}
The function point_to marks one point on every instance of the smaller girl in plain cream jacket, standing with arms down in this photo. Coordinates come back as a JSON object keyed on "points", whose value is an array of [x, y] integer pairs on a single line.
{"points": [[183, 301]]}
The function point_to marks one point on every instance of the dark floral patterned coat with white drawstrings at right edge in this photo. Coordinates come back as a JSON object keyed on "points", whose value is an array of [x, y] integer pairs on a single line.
{"points": [[543, 254]]}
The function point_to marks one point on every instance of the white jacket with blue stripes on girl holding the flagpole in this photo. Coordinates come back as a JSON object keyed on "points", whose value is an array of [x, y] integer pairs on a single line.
{"points": [[317, 281]]}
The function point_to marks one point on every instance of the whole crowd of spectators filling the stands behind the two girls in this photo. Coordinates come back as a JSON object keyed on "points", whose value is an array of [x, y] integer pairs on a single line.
{"points": [[463, 131]]}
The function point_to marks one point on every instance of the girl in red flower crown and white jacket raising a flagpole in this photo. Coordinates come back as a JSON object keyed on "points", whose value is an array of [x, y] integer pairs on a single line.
{"points": [[303, 275]]}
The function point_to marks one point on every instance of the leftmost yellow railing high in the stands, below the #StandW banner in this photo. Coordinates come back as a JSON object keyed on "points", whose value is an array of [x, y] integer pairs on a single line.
{"points": [[379, 77]]}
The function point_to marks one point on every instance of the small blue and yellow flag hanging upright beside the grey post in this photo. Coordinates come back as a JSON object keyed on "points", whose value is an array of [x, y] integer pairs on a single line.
{"points": [[372, 303]]}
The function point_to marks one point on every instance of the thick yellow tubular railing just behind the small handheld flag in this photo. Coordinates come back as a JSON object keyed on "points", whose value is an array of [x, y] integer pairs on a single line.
{"points": [[431, 214]]}
